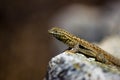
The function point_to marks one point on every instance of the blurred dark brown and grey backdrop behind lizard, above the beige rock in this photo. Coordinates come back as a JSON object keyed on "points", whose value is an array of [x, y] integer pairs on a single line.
{"points": [[25, 45]]}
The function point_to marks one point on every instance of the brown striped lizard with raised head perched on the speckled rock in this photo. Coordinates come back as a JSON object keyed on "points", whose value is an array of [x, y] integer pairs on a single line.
{"points": [[84, 46]]}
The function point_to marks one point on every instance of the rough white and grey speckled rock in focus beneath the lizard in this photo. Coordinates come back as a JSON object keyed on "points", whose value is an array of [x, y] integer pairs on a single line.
{"points": [[68, 66]]}
